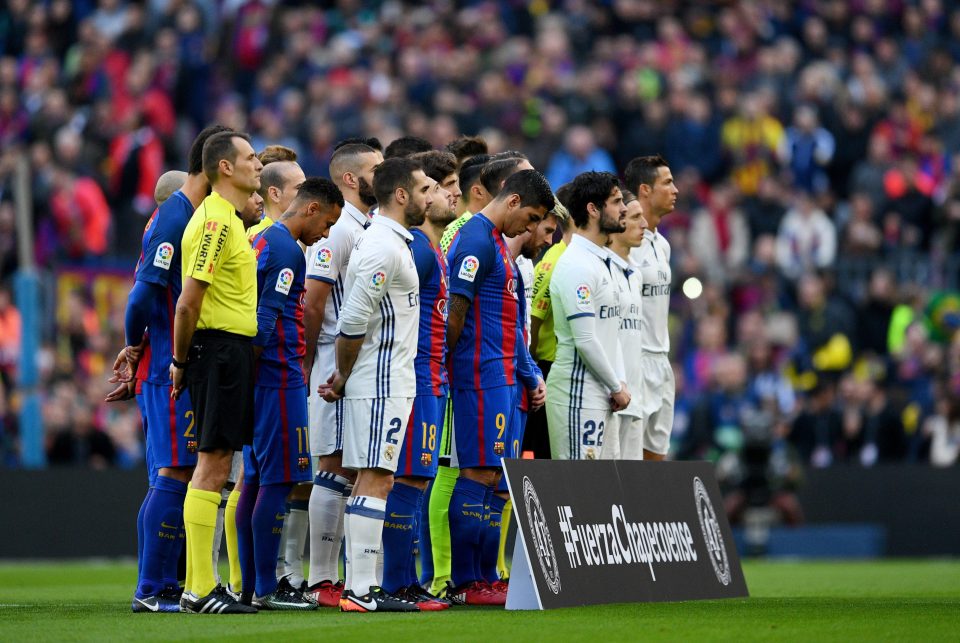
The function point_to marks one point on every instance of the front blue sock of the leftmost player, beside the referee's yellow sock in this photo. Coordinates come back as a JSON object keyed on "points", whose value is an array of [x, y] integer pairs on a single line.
{"points": [[162, 519]]}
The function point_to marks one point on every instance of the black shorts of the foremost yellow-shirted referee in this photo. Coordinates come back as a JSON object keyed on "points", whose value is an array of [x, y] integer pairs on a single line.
{"points": [[220, 375]]}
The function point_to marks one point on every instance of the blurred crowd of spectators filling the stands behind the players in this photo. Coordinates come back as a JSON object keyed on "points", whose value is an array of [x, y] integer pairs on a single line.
{"points": [[814, 144]]}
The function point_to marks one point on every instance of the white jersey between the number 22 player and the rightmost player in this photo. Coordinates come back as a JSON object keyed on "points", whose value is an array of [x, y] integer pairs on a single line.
{"points": [[628, 280]]}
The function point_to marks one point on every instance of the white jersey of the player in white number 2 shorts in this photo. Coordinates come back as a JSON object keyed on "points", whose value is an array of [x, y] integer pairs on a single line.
{"points": [[382, 305]]}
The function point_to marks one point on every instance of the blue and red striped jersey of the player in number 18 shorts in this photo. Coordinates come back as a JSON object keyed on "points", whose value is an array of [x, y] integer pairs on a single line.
{"points": [[430, 363]]}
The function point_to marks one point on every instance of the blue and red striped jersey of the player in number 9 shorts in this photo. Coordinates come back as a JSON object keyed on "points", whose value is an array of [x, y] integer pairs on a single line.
{"points": [[482, 270]]}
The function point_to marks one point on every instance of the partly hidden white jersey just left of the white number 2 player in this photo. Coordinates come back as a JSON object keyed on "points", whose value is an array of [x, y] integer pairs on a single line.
{"points": [[327, 260]]}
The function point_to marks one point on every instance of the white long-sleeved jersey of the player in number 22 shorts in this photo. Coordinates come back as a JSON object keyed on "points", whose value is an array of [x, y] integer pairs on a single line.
{"points": [[582, 285]]}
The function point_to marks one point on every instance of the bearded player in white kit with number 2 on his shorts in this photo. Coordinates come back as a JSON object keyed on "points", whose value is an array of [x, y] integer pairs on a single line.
{"points": [[376, 346]]}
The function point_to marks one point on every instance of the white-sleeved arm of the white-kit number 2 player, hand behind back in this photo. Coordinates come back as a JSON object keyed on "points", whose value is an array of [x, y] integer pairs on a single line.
{"points": [[374, 271]]}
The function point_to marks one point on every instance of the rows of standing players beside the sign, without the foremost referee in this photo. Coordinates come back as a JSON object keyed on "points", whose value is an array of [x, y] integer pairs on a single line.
{"points": [[412, 365]]}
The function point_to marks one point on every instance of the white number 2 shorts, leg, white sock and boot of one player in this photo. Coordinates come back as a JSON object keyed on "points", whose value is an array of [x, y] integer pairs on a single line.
{"points": [[372, 442]]}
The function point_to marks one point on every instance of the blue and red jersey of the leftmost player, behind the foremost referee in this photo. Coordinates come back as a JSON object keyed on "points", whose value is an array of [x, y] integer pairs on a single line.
{"points": [[159, 265]]}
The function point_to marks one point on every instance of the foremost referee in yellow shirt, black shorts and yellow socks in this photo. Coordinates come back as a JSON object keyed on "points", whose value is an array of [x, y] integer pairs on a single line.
{"points": [[215, 322]]}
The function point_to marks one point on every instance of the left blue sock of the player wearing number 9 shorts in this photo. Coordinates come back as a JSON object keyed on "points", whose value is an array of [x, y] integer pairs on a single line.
{"points": [[466, 522]]}
